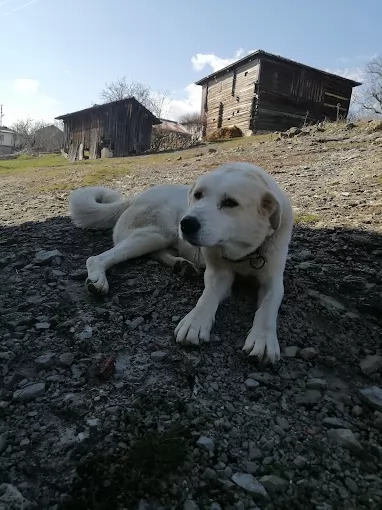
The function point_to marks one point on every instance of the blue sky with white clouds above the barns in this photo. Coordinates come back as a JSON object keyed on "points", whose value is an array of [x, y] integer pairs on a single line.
{"points": [[57, 55]]}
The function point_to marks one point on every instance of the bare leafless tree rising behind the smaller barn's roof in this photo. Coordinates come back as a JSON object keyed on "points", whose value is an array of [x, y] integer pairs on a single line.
{"points": [[156, 102]]}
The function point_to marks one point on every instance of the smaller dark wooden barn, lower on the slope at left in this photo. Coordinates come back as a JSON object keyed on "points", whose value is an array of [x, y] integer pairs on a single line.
{"points": [[123, 127]]}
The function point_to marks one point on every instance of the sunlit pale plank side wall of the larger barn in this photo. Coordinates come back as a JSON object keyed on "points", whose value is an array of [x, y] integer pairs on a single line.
{"points": [[234, 91]]}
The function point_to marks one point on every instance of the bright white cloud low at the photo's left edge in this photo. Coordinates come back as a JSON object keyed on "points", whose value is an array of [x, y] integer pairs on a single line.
{"points": [[24, 97]]}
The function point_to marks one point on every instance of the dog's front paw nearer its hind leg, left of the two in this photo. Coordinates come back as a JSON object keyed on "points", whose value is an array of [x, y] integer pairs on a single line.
{"points": [[194, 328]]}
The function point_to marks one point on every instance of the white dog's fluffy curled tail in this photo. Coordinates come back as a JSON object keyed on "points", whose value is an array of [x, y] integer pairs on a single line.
{"points": [[96, 207]]}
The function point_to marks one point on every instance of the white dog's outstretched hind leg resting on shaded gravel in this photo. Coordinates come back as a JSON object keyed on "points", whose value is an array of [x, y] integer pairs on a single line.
{"points": [[137, 243]]}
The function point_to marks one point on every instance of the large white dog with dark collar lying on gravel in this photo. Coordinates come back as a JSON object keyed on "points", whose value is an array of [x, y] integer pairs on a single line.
{"points": [[234, 219]]}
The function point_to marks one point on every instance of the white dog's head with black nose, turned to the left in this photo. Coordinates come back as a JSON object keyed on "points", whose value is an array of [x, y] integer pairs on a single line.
{"points": [[231, 208]]}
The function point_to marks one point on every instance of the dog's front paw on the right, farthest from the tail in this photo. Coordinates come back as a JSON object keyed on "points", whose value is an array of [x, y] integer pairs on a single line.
{"points": [[263, 344]]}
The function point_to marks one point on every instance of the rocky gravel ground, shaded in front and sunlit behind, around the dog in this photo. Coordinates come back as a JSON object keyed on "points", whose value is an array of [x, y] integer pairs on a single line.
{"points": [[176, 428]]}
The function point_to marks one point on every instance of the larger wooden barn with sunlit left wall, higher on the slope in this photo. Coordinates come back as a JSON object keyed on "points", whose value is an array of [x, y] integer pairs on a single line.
{"points": [[265, 92]]}
